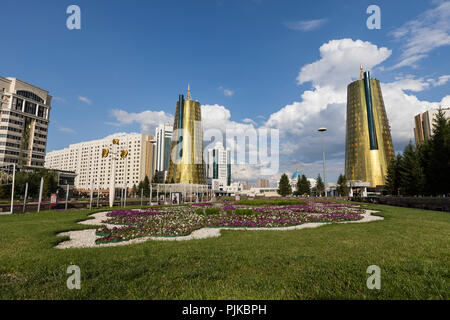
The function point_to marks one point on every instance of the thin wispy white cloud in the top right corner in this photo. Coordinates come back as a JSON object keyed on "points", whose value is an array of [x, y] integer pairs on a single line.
{"points": [[430, 30]]}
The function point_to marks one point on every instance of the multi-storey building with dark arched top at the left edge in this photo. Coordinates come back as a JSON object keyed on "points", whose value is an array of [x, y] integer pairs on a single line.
{"points": [[25, 112]]}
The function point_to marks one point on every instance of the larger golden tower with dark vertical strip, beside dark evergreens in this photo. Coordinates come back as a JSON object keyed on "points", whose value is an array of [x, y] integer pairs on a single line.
{"points": [[368, 145]]}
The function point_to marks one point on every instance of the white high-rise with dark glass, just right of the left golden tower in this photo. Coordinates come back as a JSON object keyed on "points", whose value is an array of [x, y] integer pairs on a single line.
{"points": [[219, 163]]}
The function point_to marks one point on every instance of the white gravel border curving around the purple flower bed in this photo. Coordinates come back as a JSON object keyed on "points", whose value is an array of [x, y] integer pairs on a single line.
{"points": [[86, 238]]}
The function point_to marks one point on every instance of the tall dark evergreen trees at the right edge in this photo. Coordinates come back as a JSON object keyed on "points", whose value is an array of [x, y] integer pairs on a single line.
{"points": [[423, 169]]}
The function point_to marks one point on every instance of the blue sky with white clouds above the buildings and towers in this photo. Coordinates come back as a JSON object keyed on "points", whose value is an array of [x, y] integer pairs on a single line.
{"points": [[244, 59]]}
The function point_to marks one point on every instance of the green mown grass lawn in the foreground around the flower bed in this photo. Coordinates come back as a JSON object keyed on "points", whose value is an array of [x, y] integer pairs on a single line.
{"points": [[412, 248]]}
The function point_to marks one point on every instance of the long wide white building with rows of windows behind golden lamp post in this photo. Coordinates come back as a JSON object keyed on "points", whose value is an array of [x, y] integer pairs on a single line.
{"points": [[85, 158]]}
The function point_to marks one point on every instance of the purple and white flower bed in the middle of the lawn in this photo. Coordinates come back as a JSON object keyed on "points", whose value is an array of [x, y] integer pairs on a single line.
{"points": [[183, 220]]}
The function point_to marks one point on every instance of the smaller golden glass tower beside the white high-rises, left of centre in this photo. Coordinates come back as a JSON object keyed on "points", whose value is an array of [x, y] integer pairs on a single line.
{"points": [[186, 161]]}
